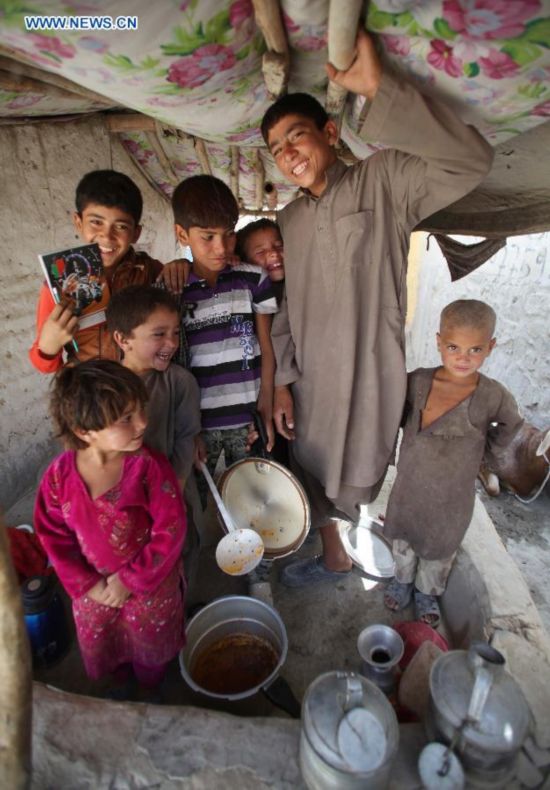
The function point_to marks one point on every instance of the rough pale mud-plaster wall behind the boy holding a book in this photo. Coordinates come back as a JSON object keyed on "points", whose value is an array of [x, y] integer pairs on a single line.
{"points": [[41, 165]]}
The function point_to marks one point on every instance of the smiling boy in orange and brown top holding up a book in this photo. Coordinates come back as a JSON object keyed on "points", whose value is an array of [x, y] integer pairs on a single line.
{"points": [[108, 213]]}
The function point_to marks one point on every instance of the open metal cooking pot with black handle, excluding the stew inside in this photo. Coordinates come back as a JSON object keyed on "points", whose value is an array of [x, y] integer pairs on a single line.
{"points": [[243, 618]]}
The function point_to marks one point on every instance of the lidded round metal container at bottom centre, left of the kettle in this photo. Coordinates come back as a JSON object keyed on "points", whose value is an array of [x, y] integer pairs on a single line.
{"points": [[349, 734]]}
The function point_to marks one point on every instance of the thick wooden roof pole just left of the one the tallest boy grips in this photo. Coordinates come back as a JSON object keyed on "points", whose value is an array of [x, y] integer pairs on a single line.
{"points": [[276, 61]]}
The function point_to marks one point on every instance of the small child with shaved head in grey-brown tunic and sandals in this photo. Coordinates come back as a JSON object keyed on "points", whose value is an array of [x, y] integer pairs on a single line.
{"points": [[451, 415]]}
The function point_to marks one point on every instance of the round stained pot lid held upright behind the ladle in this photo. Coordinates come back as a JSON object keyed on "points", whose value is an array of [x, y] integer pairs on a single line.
{"points": [[264, 496]]}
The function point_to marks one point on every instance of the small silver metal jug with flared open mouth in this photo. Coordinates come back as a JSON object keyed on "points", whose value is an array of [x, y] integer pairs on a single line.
{"points": [[381, 649]]}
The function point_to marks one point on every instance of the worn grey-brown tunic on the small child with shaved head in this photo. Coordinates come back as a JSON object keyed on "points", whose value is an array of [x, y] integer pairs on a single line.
{"points": [[432, 499]]}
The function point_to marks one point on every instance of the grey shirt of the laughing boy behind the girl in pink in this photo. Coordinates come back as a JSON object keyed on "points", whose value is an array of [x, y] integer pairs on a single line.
{"points": [[174, 415]]}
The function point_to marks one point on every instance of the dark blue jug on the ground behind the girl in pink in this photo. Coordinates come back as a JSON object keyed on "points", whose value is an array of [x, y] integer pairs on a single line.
{"points": [[45, 620]]}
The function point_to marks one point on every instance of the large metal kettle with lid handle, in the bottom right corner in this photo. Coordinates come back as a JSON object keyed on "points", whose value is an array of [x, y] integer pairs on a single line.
{"points": [[478, 709]]}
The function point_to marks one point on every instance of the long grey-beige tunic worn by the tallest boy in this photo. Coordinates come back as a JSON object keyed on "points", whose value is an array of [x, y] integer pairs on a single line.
{"points": [[339, 338]]}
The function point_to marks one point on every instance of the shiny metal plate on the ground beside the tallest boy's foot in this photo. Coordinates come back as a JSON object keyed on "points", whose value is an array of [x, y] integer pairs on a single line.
{"points": [[367, 548]]}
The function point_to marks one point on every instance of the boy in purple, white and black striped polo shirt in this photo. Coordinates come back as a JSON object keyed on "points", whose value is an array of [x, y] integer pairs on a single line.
{"points": [[226, 315]]}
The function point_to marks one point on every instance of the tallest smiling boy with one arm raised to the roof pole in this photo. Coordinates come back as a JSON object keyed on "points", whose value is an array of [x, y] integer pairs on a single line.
{"points": [[339, 336]]}
